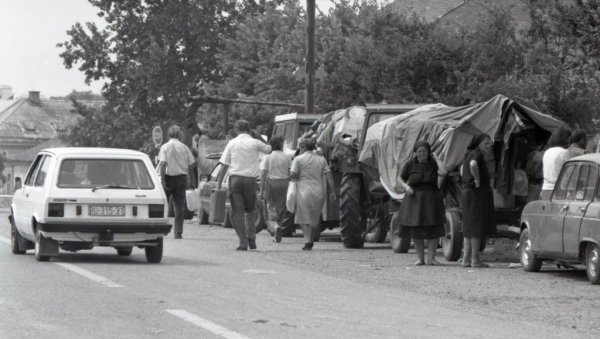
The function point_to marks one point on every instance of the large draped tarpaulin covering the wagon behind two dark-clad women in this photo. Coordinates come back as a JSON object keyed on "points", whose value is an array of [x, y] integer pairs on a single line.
{"points": [[389, 144]]}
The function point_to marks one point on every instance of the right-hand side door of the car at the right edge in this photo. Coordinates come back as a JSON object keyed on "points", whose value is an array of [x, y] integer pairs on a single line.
{"points": [[583, 195]]}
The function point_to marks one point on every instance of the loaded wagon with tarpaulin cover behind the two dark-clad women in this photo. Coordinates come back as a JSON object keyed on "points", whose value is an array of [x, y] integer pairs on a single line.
{"points": [[516, 129]]}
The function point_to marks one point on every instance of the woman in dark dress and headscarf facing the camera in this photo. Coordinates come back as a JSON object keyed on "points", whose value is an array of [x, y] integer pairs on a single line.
{"points": [[421, 214]]}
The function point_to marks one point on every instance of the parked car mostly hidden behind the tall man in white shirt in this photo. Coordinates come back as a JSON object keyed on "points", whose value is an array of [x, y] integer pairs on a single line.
{"points": [[207, 185]]}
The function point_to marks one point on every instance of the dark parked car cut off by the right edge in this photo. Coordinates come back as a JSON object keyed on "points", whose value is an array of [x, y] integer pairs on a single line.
{"points": [[566, 227]]}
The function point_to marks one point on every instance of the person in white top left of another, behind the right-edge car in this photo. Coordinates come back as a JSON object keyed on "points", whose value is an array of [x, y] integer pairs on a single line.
{"points": [[554, 158]]}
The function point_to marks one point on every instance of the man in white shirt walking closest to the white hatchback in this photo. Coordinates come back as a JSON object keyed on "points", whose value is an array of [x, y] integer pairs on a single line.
{"points": [[175, 158]]}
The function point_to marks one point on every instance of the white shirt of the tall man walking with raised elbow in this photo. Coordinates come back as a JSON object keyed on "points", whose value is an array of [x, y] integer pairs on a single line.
{"points": [[241, 155]]}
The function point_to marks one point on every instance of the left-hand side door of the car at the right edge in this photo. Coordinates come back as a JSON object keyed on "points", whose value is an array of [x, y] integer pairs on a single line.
{"points": [[551, 230]]}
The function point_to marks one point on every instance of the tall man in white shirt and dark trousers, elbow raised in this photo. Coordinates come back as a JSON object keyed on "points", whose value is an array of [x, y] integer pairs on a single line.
{"points": [[240, 157]]}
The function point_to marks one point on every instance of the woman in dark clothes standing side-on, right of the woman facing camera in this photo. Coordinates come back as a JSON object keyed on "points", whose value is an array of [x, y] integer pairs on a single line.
{"points": [[479, 214]]}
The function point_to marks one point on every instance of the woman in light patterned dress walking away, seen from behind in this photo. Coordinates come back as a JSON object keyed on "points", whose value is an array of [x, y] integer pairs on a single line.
{"points": [[310, 173]]}
